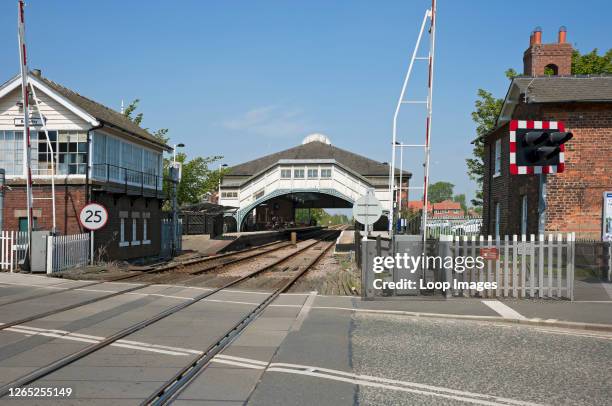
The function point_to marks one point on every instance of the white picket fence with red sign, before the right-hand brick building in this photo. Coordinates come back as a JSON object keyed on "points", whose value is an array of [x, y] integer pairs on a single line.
{"points": [[541, 266]]}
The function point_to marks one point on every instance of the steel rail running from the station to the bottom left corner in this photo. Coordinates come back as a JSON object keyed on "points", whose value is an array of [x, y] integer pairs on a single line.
{"points": [[69, 359]]}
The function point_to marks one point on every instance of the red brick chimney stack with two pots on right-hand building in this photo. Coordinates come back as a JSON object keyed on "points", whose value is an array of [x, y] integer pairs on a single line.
{"points": [[555, 58]]}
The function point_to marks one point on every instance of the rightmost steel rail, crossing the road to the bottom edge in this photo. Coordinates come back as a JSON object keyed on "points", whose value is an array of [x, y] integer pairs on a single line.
{"points": [[181, 379]]}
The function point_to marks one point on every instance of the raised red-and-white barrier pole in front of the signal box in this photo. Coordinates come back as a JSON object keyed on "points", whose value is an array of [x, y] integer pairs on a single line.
{"points": [[23, 62]]}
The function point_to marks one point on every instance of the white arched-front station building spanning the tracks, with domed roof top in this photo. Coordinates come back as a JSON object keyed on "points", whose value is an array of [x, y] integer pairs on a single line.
{"points": [[267, 191]]}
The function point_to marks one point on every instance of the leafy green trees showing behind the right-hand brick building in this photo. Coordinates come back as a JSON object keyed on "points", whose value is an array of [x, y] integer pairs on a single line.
{"points": [[487, 109]]}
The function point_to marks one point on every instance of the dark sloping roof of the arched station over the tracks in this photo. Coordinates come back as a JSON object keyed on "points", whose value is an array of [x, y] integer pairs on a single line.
{"points": [[315, 150]]}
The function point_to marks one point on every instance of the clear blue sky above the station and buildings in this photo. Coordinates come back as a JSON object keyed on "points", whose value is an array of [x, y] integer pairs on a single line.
{"points": [[246, 78]]}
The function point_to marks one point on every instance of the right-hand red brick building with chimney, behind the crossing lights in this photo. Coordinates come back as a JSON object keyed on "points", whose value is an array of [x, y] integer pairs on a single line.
{"points": [[548, 91]]}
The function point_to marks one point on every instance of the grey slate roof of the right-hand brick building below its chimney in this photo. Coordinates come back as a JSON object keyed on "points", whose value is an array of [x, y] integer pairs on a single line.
{"points": [[575, 88]]}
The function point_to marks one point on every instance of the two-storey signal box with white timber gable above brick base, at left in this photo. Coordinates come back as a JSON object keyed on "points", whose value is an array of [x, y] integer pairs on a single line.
{"points": [[100, 156]]}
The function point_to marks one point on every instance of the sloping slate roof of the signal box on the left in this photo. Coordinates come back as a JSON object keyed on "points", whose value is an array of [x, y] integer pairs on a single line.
{"points": [[100, 112]]}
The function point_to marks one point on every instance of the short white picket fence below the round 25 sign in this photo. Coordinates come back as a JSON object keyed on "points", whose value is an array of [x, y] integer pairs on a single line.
{"points": [[67, 251]]}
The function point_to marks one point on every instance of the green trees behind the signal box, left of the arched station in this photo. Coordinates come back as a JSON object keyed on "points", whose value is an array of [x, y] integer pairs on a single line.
{"points": [[197, 176]]}
